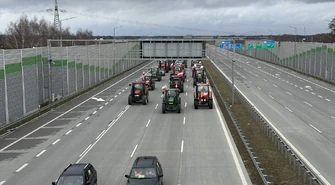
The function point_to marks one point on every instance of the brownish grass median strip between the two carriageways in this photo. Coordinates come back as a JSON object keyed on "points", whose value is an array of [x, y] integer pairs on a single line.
{"points": [[274, 163]]}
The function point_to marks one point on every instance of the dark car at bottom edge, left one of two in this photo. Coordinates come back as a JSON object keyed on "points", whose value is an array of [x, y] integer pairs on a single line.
{"points": [[78, 174]]}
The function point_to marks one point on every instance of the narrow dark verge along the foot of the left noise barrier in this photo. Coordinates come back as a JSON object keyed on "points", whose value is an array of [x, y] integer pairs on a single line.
{"points": [[59, 103]]}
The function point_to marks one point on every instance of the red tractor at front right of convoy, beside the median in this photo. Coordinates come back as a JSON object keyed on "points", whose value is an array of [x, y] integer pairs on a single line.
{"points": [[203, 95]]}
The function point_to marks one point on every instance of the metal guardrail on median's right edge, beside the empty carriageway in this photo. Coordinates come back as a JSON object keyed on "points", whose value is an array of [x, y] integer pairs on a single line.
{"points": [[295, 158]]}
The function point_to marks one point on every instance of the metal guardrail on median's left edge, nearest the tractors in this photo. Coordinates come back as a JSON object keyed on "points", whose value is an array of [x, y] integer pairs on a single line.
{"points": [[244, 139]]}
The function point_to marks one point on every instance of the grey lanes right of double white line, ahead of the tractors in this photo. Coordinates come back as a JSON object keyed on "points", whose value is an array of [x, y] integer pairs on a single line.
{"points": [[180, 145]]}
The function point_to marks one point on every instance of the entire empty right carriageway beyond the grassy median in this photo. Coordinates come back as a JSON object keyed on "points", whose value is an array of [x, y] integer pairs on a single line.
{"points": [[302, 108]]}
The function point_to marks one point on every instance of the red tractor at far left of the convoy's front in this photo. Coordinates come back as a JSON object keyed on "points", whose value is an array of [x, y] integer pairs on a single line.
{"points": [[139, 92]]}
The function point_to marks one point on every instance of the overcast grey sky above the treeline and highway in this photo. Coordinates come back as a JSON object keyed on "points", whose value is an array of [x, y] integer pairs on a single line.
{"points": [[170, 17]]}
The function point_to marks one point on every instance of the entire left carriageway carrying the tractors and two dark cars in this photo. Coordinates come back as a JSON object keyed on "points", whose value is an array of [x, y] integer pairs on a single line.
{"points": [[194, 147]]}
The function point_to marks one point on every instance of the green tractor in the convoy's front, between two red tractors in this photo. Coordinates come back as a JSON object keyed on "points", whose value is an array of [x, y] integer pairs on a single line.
{"points": [[171, 101]]}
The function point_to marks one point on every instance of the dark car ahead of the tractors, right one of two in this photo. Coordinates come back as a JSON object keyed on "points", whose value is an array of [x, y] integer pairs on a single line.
{"points": [[146, 170]]}
